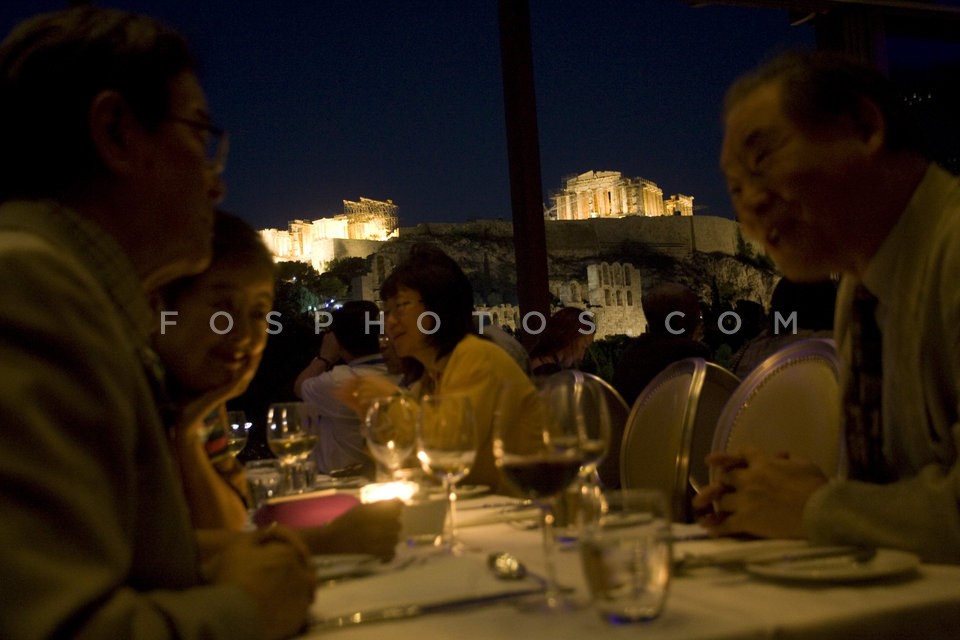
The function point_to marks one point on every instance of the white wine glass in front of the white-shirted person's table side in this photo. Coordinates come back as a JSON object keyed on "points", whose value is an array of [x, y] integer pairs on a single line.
{"points": [[291, 437]]}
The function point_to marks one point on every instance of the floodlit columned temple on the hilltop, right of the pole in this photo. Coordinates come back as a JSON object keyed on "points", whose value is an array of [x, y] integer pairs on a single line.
{"points": [[608, 194]]}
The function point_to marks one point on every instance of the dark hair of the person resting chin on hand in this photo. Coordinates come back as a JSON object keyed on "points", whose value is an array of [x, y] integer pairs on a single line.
{"points": [[234, 240]]}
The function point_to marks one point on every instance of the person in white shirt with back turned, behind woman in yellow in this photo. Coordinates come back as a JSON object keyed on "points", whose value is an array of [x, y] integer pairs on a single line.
{"points": [[350, 348]]}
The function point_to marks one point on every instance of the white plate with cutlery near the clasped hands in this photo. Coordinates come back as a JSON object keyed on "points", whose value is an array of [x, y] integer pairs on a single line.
{"points": [[887, 563]]}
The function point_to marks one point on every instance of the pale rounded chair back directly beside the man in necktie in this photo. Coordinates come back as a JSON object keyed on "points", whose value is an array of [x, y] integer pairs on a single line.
{"points": [[790, 403]]}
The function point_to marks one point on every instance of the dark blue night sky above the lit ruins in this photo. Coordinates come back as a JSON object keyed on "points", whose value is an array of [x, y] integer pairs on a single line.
{"points": [[327, 100]]}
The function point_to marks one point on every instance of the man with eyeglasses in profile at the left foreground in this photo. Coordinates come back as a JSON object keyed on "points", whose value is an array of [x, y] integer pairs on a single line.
{"points": [[109, 173]]}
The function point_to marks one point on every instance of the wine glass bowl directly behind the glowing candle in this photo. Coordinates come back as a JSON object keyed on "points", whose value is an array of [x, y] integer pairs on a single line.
{"points": [[390, 431]]}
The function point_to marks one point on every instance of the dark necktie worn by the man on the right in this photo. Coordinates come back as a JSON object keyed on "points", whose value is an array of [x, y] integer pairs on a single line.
{"points": [[862, 398]]}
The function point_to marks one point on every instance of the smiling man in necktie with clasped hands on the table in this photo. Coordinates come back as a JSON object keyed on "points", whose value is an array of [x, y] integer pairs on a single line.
{"points": [[823, 169]]}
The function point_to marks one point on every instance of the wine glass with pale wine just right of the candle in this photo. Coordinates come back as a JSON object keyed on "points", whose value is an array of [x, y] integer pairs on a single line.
{"points": [[446, 447]]}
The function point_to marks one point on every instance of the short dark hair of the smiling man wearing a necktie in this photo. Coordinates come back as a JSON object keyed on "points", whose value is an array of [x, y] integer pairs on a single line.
{"points": [[822, 87]]}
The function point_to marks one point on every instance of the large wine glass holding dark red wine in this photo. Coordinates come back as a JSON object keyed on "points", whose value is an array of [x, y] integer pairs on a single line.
{"points": [[541, 440]]}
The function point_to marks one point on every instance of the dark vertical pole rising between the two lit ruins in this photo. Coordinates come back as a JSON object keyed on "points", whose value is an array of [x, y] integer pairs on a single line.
{"points": [[523, 155]]}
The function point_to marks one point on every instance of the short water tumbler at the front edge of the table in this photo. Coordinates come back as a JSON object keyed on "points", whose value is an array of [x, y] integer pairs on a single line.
{"points": [[626, 555]]}
